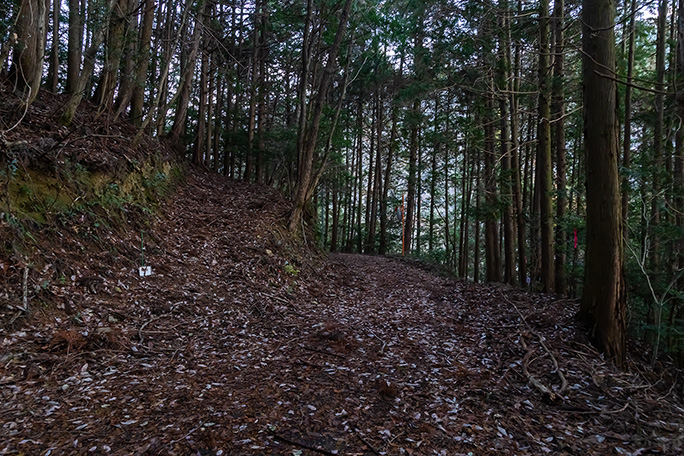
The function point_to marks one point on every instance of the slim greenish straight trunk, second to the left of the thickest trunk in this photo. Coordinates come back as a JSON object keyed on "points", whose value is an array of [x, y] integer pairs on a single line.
{"points": [[544, 163]]}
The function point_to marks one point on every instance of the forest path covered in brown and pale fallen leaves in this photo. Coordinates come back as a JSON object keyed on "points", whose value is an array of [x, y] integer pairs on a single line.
{"points": [[242, 343]]}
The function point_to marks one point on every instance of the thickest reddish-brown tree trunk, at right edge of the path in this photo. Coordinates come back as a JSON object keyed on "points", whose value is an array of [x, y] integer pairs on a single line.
{"points": [[603, 305]]}
